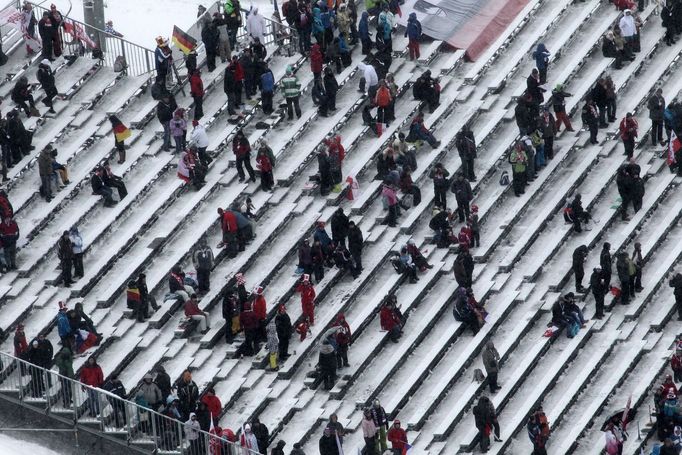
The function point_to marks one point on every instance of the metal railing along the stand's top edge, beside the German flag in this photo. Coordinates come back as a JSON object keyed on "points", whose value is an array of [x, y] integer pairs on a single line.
{"points": [[139, 59]]}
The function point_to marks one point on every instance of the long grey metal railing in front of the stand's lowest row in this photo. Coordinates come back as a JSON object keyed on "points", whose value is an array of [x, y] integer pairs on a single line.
{"points": [[139, 428]]}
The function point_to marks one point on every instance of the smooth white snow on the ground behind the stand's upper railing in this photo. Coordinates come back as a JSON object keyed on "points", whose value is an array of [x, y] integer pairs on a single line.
{"points": [[142, 21]]}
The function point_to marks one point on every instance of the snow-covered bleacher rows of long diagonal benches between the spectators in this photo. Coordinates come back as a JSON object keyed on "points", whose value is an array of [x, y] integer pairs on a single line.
{"points": [[425, 379]]}
